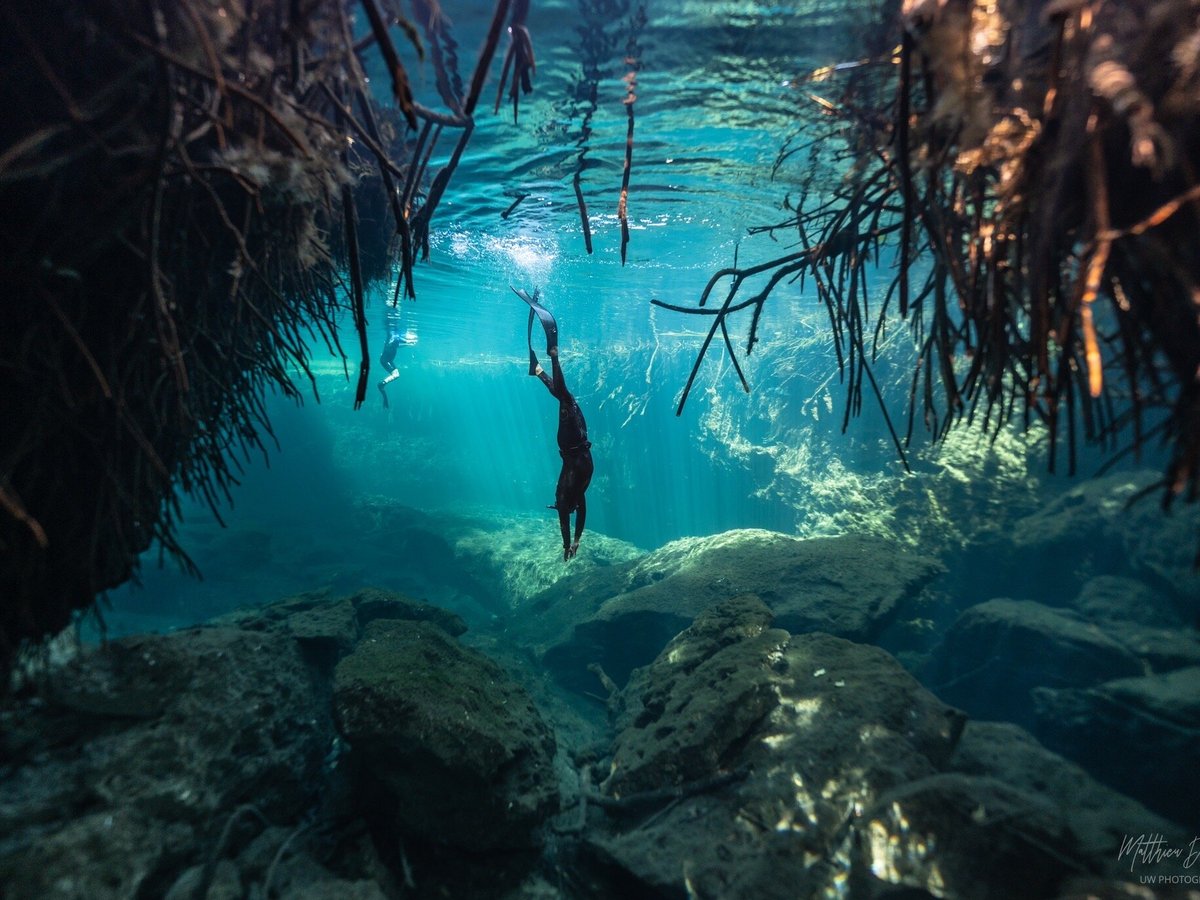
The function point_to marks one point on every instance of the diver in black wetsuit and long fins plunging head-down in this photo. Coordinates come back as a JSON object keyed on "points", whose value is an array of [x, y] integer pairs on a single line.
{"points": [[573, 433]]}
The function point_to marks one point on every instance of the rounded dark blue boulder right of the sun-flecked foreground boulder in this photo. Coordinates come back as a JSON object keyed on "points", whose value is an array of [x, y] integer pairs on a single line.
{"points": [[999, 651]]}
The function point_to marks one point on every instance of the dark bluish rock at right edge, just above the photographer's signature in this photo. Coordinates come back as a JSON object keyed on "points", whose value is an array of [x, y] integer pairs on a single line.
{"points": [[1142, 736]]}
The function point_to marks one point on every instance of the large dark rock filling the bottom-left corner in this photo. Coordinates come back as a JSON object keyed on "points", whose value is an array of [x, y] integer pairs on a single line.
{"points": [[135, 752]]}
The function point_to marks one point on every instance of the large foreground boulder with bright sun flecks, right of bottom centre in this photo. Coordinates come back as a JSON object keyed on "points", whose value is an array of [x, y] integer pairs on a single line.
{"points": [[772, 742]]}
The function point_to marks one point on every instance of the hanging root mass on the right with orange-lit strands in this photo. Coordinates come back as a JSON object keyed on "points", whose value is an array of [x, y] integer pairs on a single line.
{"points": [[1046, 169]]}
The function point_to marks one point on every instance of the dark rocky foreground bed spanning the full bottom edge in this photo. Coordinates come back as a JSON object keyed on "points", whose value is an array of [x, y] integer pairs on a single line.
{"points": [[357, 747]]}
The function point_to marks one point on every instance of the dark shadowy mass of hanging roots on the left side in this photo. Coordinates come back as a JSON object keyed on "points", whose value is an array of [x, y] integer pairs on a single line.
{"points": [[178, 208]]}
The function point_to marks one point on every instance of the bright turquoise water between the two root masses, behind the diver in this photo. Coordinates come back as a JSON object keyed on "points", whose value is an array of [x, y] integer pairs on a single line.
{"points": [[471, 435]]}
